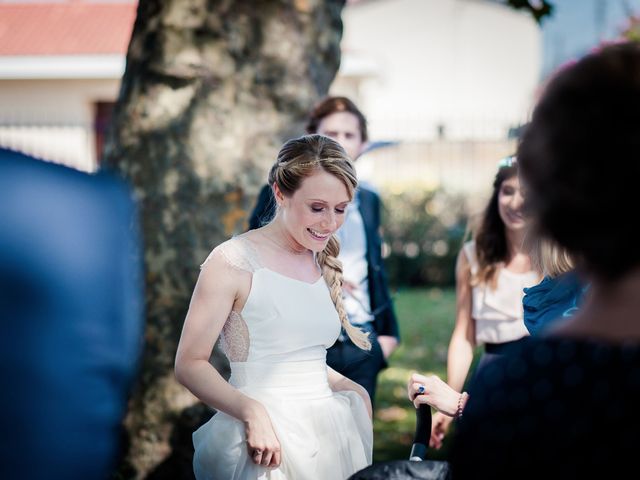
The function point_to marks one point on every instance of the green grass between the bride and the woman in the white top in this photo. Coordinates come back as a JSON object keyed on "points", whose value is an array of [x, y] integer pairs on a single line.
{"points": [[426, 318]]}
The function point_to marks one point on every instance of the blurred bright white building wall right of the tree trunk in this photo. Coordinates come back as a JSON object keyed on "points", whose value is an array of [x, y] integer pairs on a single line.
{"points": [[469, 65]]}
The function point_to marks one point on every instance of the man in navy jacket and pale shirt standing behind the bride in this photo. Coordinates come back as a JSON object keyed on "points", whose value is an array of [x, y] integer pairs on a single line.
{"points": [[367, 297]]}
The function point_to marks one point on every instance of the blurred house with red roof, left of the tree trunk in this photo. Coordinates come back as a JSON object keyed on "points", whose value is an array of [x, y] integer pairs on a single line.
{"points": [[60, 70]]}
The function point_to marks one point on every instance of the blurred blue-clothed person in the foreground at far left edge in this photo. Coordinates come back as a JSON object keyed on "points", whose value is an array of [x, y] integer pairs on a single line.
{"points": [[70, 318]]}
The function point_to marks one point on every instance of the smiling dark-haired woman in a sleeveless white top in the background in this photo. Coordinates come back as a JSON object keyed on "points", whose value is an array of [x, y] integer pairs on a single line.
{"points": [[491, 272]]}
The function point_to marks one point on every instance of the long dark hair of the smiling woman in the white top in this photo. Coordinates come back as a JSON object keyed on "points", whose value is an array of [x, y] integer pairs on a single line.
{"points": [[491, 241]]}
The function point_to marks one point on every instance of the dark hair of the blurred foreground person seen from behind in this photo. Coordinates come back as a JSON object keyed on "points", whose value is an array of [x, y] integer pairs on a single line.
{"points": [[580, 160]]}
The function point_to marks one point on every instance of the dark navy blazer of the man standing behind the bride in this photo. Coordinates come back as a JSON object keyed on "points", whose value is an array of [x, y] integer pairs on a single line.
{"points": [[385, 322]]}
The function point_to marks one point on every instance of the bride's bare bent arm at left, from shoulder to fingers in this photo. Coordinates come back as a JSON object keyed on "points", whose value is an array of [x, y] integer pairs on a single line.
{"points": [[213, 298]]}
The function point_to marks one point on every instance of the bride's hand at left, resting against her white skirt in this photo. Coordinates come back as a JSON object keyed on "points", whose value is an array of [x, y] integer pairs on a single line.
{"points": [[262, 443]]}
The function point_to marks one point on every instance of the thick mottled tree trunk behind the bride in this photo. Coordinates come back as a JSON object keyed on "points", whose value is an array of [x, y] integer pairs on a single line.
{"points": [[211, 90]]}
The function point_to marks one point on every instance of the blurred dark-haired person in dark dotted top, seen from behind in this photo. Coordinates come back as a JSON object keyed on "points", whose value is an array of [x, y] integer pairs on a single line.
{"points": [[565, 404]]}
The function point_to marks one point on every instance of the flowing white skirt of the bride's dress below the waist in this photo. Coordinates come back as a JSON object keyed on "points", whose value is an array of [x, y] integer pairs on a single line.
{"points": [[323, 434]]}
